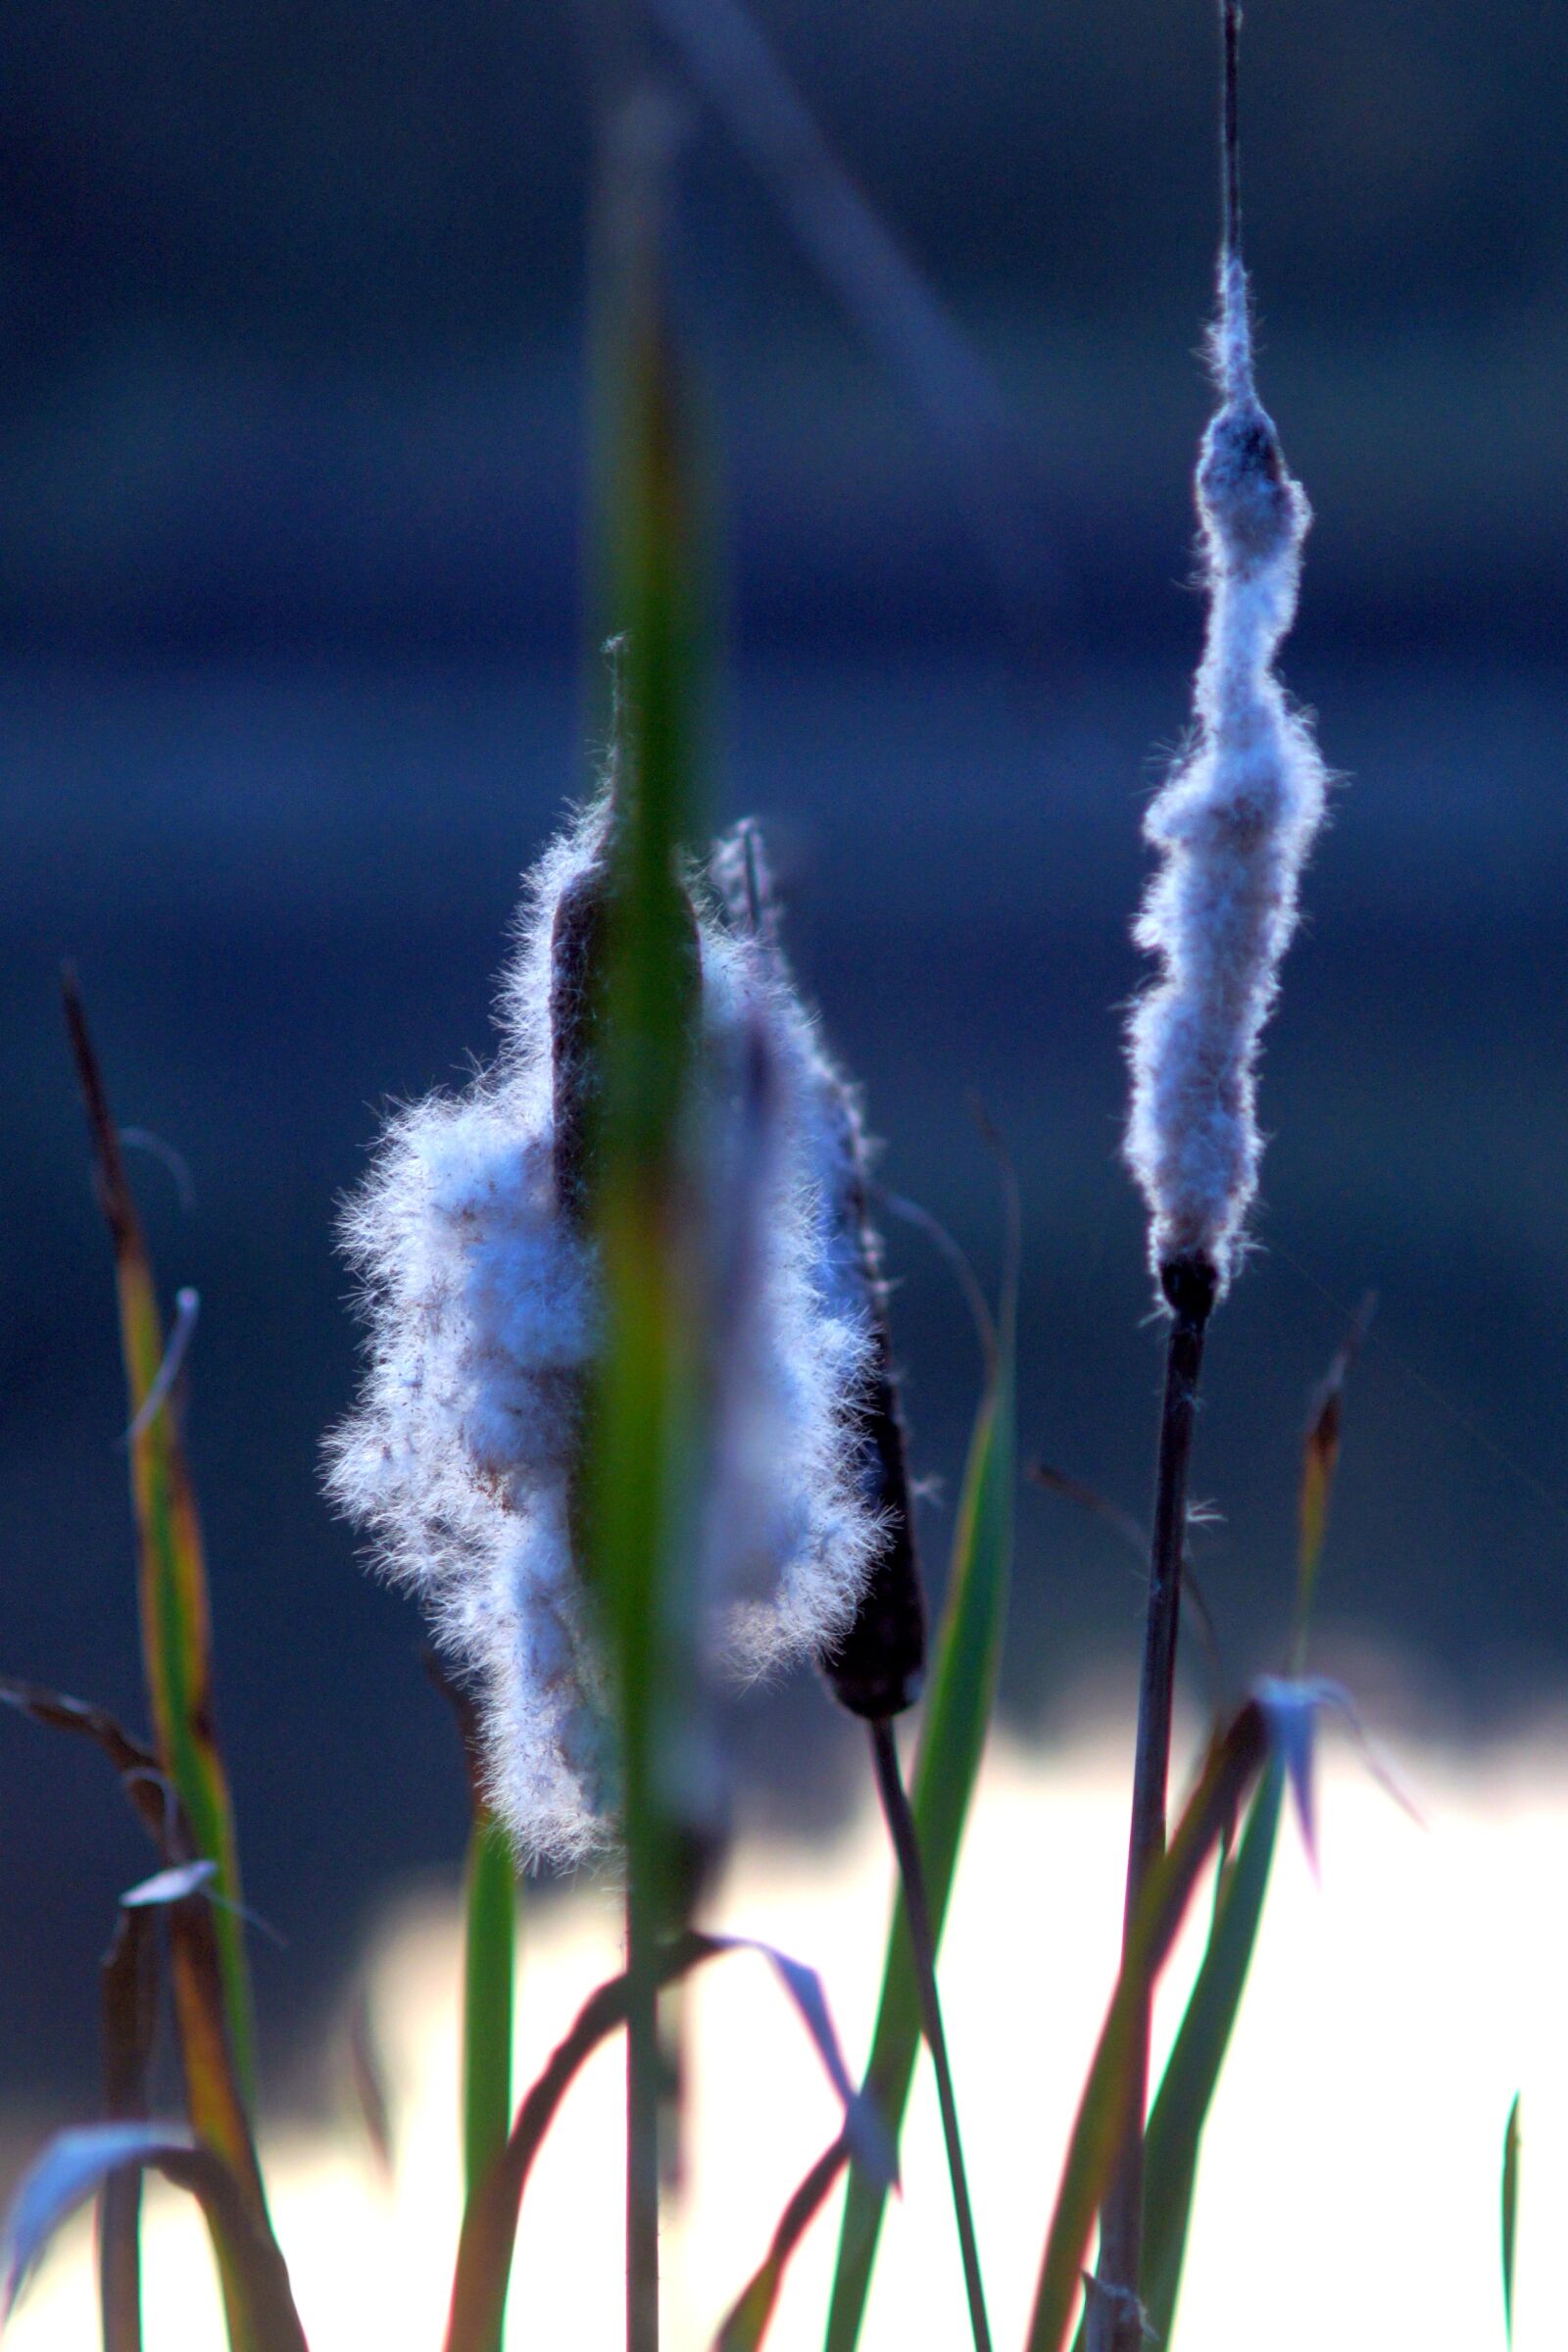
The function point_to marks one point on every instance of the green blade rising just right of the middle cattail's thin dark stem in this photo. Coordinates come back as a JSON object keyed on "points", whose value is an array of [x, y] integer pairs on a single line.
{"points": [[965, 1666]]}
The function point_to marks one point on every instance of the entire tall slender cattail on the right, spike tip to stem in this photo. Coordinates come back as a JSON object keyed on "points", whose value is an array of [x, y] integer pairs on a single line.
{"points": [[1233, 827]]}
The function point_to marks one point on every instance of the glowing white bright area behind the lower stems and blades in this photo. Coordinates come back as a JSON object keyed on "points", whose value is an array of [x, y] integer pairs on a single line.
{"points": [[1351, 2174]]}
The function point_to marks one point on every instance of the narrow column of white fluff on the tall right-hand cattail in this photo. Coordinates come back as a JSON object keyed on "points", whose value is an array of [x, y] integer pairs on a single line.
{"points": [[1233, 827]]}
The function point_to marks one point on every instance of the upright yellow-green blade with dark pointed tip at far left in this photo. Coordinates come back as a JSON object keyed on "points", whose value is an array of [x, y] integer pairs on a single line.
{"points": [[173, 1575]]}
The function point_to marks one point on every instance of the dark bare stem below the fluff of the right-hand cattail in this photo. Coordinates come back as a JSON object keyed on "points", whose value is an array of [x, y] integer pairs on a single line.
{"points": [[1191, 1290]]}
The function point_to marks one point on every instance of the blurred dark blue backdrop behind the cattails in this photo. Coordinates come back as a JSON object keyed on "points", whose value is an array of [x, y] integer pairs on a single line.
{"points": [[293, 469]]}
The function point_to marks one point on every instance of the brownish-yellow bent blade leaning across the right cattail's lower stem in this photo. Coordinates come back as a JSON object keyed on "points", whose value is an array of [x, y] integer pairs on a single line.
{"points": [[1099, 2130]]}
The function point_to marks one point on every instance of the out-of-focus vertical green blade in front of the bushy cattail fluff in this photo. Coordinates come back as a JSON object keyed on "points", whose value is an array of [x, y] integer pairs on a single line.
{"points": [[634, 1499]]}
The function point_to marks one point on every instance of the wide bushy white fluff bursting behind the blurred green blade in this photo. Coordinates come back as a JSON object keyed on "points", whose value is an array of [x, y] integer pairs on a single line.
{"points": [[483, 1314]]}
